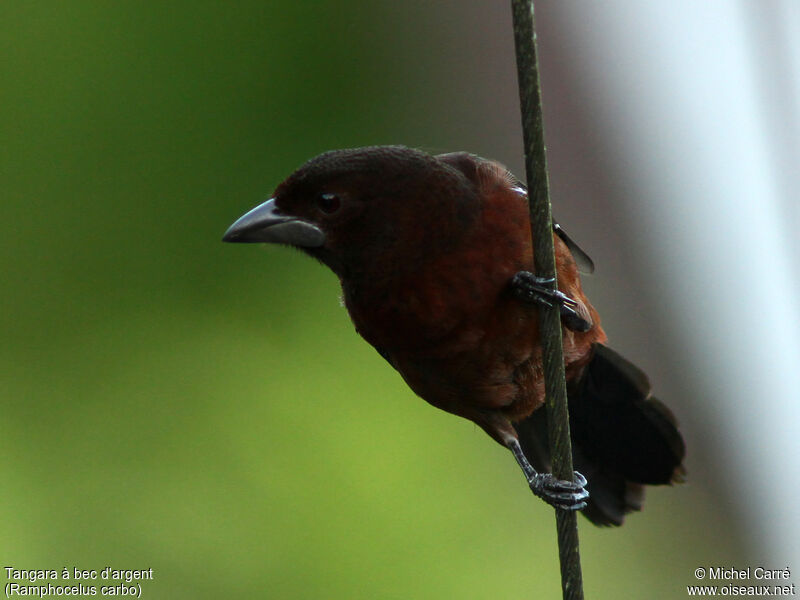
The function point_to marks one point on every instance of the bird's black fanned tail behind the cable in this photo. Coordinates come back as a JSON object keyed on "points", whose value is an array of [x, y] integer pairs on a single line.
{"points": [[622, 437]]}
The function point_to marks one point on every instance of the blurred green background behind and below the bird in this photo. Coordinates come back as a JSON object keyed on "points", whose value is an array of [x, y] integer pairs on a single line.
{"points": [[207, 410]]}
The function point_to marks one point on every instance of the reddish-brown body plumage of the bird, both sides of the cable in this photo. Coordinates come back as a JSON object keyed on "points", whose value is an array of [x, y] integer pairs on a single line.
{"points": [[451, 326]]}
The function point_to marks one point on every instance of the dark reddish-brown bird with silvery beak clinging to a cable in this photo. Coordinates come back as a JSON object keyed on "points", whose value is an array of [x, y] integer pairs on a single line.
{"points": [[433, 254]]}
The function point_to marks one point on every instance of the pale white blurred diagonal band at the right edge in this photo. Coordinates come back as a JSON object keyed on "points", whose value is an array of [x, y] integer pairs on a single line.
{"points": [[686, 91]]}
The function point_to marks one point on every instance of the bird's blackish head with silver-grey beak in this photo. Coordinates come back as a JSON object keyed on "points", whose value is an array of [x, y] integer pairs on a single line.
{"points": [[361, 209]]}
